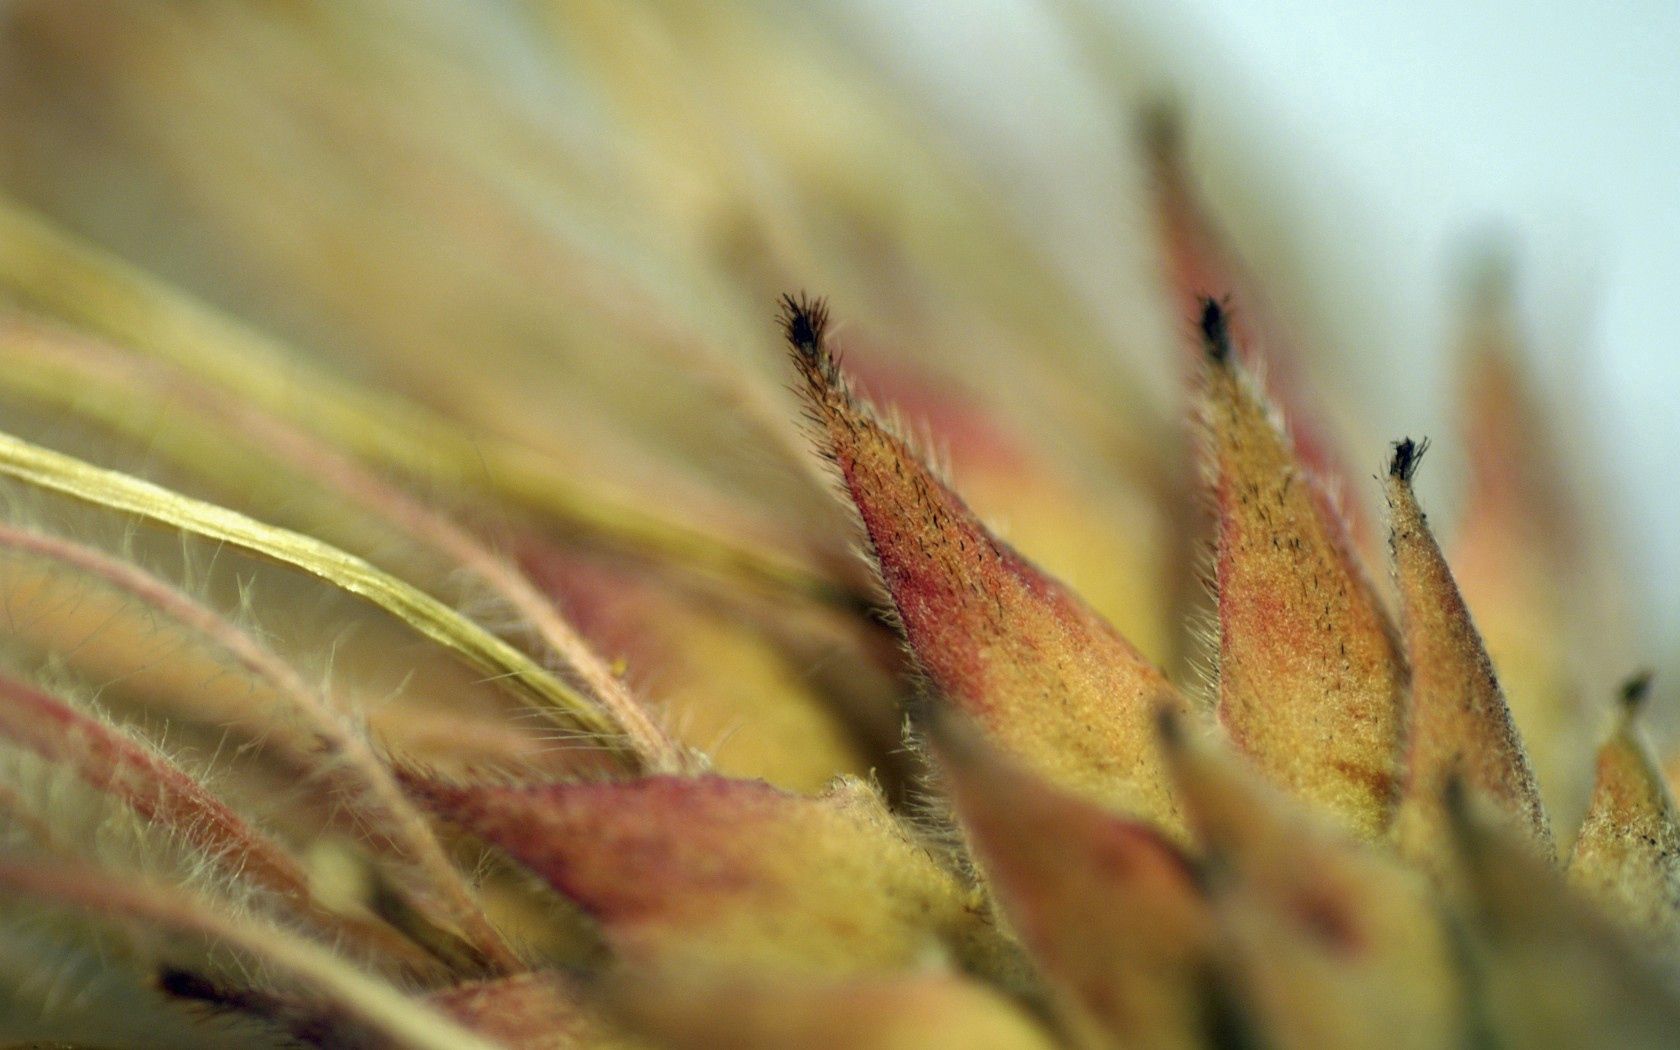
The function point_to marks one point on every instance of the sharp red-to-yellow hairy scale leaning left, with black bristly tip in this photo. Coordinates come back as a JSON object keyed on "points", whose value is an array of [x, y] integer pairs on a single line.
{"points": [[1042, 673]]}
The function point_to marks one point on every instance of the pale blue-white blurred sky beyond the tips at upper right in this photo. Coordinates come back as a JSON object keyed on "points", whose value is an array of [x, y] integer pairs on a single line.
{"points": [[1370, 150]]}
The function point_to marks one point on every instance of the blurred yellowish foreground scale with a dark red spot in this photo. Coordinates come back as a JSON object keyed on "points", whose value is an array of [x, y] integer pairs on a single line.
{"points": [[1328, 942]]}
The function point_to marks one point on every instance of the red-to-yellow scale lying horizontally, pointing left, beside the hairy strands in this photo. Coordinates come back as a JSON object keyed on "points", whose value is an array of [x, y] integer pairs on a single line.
{"points": [[713, 873]]}
